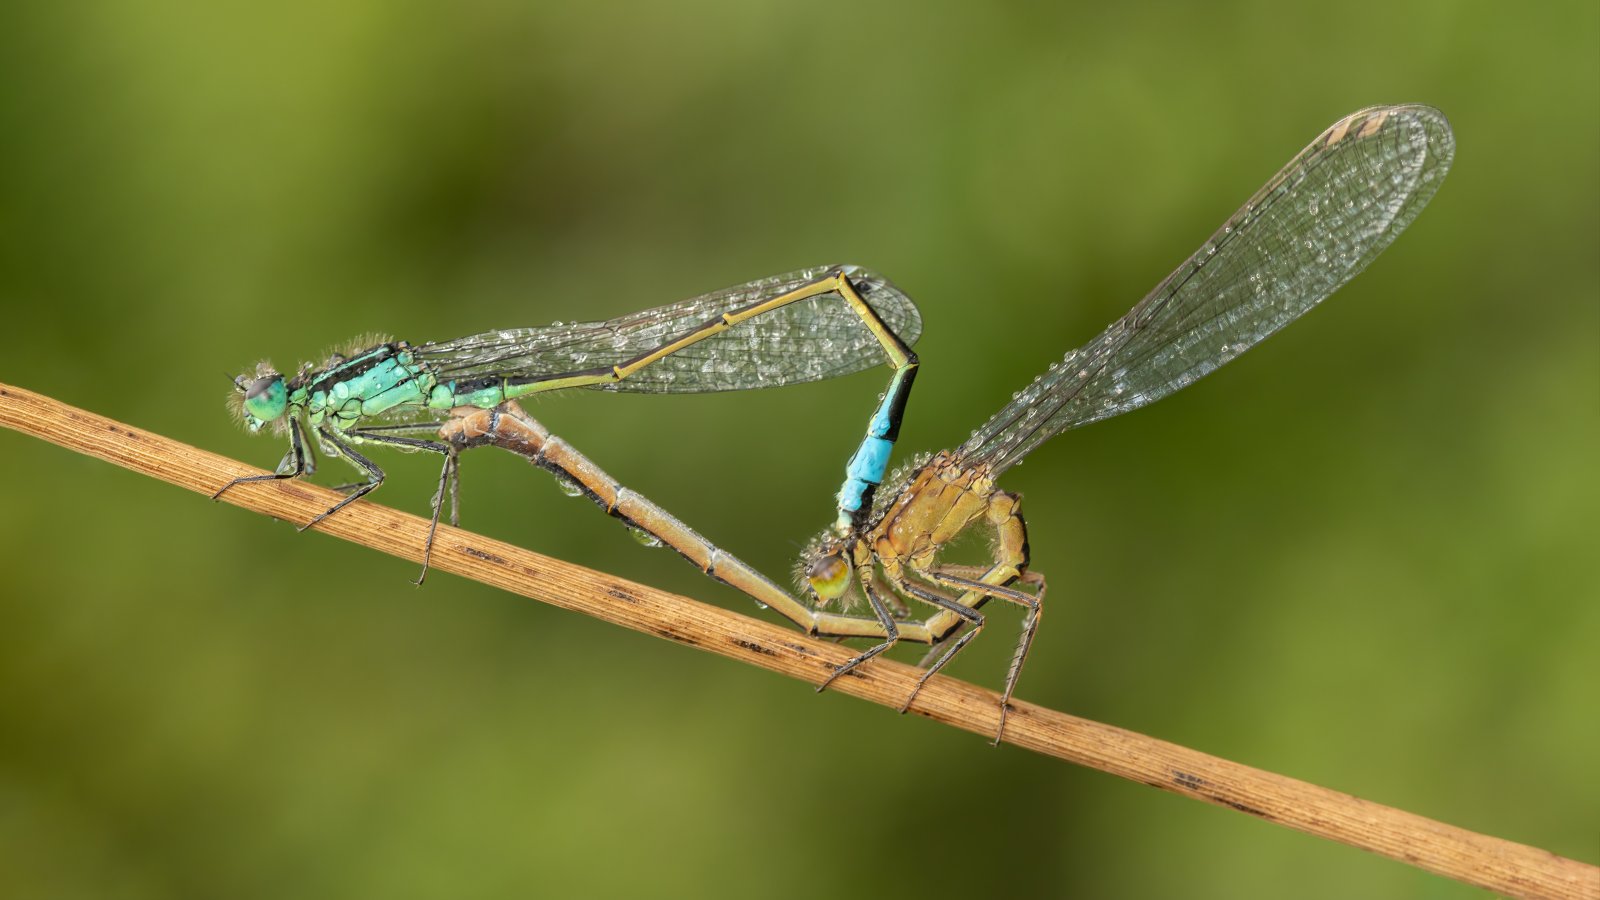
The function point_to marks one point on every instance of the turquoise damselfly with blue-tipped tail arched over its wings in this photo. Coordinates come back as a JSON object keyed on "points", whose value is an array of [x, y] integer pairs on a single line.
{"points": [[782, 331]]}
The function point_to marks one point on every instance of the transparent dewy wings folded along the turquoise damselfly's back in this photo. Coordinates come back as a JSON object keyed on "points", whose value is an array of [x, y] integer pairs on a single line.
{"points": [[802, 342]]}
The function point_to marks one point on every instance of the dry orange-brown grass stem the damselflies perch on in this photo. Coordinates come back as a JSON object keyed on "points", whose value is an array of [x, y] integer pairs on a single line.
{"points": [[1454, 853]]}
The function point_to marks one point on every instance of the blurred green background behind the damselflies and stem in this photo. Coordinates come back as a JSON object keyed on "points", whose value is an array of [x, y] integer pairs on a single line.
{"points": [[1362, 556]]}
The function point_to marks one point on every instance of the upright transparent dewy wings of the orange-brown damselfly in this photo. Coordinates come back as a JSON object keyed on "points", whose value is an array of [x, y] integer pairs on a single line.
{"points": [[1313, 228]]}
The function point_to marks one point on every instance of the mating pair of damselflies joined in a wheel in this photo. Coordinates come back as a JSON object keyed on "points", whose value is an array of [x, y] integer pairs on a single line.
{"points": [[1314, 227]]}
